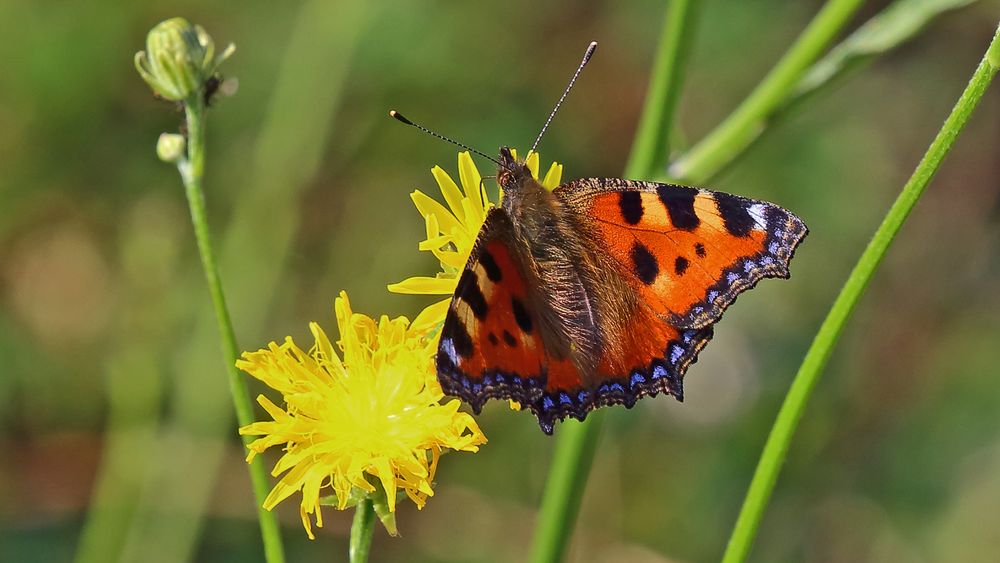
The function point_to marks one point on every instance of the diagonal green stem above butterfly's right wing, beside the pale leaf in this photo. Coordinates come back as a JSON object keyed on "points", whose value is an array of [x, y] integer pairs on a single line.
{"points": [[738, 130]]}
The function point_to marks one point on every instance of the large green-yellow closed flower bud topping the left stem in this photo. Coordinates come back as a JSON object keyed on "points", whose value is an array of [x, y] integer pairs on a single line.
{"points": [[179, 59]]}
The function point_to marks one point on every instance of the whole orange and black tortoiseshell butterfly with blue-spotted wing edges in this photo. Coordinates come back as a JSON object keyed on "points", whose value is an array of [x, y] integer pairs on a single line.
{"points": [[601, 291]]}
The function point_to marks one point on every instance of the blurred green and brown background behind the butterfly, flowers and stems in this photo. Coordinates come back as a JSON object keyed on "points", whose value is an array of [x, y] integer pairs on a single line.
{"points": [[117, 440]]}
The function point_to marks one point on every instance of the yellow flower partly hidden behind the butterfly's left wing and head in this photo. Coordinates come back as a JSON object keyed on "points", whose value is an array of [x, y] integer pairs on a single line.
{"points": [[452, 230]]}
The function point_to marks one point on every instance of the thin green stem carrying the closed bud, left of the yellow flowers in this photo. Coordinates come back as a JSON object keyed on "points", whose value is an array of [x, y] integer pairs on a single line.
{"points": [[192, 170]]}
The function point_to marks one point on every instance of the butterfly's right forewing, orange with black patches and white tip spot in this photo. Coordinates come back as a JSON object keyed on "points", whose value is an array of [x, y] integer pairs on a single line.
{"points": [[689, 252]]}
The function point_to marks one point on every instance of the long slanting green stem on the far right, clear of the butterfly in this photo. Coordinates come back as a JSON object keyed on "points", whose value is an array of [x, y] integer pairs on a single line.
{"points": [[815, 360]]}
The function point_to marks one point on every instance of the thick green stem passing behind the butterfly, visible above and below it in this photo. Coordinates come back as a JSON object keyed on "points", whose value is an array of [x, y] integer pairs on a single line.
{"points": [[576, 442]]}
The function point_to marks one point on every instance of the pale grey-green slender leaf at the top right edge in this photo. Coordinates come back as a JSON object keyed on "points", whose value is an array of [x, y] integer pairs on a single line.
{"points": [[892, 27]]}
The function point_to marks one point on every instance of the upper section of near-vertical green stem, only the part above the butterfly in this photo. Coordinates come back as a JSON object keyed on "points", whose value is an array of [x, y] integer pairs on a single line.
{"points": [[651, 148]]}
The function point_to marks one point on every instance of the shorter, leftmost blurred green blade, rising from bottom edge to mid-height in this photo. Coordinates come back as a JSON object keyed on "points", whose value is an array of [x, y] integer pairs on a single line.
{"points": [[149, 244]]}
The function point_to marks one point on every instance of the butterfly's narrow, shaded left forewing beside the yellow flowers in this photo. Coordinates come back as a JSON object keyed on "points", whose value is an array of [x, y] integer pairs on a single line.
{"points": [[490, 345]]}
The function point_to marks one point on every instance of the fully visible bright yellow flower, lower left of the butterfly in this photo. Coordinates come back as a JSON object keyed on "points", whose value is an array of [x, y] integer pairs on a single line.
{"points": [[368, 416]]}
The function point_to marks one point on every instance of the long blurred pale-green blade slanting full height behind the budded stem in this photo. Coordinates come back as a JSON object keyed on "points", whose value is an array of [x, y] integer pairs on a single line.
{"points": [[287, 155]]}
